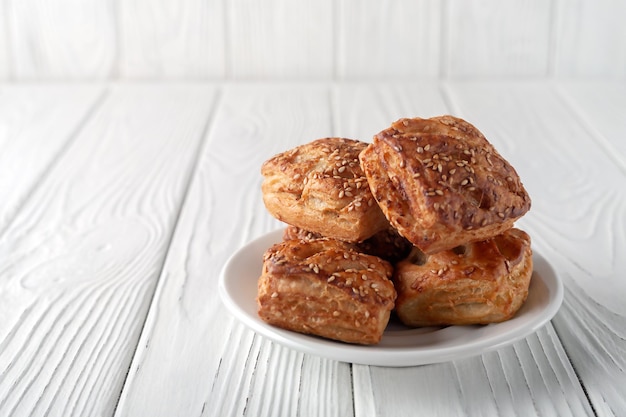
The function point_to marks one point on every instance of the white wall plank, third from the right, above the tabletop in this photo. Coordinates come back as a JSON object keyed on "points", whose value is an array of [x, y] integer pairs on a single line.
{"points": [[400, 39]]}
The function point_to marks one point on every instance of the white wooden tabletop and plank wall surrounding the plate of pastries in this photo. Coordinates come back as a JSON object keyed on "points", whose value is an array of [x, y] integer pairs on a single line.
{"points": [[130, 130]]}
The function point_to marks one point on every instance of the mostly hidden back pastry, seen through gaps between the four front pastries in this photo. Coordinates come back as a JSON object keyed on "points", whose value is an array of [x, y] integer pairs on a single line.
{"points": [[386, 244]]}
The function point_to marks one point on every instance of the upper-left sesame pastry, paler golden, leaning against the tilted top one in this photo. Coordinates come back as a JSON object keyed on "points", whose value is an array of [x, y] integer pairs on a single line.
{"points": [[320, 187]]}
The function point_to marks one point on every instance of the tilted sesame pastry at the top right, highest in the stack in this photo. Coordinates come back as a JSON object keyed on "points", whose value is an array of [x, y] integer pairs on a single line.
{"points": [[440, 183]]}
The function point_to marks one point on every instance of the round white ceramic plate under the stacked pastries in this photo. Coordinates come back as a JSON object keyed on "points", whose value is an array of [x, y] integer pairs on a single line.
{"points": [[400, 346]]}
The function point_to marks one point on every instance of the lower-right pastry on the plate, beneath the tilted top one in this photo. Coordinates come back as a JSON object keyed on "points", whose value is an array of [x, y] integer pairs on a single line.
{"points": [[477, 283]]}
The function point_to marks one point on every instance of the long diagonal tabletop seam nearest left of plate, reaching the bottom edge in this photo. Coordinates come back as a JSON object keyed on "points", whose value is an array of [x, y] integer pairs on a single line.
{"points": [[200, 149]]}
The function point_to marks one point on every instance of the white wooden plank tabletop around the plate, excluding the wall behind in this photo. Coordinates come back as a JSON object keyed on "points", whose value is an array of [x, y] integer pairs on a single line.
{"points": [[120, 203]]}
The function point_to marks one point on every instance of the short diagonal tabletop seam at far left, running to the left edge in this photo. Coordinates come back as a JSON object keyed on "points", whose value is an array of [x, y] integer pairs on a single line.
{"points": [[54, 161]]}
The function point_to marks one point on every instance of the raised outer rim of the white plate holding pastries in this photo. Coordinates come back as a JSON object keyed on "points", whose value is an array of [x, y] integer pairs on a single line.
{"points": [[377, 355]]}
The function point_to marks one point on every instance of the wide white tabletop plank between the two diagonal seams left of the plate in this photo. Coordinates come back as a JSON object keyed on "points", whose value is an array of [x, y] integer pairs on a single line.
{"points": [[85, 251]]}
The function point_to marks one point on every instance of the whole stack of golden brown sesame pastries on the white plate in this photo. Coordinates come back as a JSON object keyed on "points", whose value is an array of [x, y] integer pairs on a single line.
{"points": [[420, 222]]}
